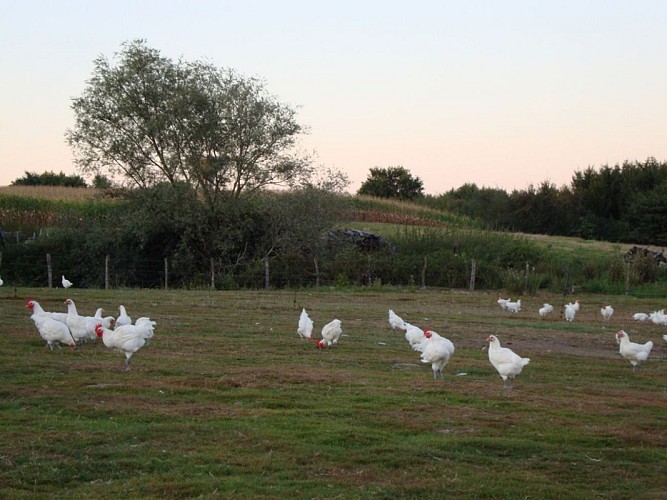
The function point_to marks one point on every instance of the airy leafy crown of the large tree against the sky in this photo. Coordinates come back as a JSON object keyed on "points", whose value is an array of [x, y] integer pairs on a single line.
{"points": [[150, 119]]}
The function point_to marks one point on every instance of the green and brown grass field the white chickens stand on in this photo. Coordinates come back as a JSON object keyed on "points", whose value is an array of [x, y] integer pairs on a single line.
{"points": [[228, 402]]}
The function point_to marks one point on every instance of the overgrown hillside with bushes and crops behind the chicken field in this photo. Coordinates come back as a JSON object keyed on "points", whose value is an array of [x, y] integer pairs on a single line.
{"points": [[429, 247]]}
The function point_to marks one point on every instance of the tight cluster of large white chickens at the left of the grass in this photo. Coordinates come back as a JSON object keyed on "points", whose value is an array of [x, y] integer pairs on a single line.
{"points": [[72, 329]]}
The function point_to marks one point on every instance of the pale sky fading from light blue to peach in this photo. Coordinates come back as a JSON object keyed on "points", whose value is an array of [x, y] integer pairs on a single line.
{"points": [[500, 93]]}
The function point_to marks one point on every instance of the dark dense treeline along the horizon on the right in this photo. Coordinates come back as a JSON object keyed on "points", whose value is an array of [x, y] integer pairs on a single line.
{"points": [[626, 203]]}
